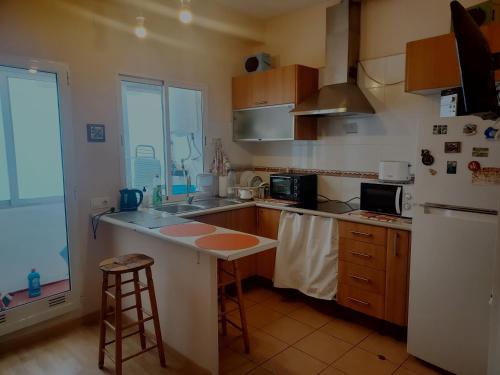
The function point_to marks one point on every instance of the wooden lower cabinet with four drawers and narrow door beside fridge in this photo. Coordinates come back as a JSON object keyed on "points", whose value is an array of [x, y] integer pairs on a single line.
{"points": [[373, 271]]}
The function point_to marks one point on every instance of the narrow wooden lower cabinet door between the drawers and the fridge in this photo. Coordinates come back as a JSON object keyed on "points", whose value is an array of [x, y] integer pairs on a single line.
{"points": [[397, 278]]}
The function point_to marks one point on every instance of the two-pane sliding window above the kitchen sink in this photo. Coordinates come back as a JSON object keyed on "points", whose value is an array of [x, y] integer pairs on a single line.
{"points": [[155, 144]]}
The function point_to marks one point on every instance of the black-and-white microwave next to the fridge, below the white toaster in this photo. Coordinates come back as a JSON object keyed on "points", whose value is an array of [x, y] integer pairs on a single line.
{"points": [[384, 198]]}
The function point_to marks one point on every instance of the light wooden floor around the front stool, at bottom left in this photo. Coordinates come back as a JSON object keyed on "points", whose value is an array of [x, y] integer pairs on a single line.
{"points": [[74, 352]]}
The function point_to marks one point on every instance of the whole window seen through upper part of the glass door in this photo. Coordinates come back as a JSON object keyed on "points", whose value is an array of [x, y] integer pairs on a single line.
{"points": [[29, 125]]}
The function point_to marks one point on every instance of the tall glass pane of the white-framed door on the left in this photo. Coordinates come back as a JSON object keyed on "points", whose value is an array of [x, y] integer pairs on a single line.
{"points": [[34, 242]]}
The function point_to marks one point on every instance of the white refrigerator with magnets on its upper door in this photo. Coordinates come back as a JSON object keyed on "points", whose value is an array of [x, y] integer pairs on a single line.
{"points": [[452, 268]]}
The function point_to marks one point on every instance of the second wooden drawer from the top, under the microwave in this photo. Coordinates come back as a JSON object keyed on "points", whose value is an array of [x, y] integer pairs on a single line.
{"points": [[362, 253]]}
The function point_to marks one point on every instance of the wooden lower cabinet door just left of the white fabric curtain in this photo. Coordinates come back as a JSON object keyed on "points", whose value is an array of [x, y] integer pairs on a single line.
{"points": [[268, 221]]}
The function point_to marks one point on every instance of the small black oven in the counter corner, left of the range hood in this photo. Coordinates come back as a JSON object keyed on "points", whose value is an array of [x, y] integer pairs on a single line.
{"points": [[294, 187]]}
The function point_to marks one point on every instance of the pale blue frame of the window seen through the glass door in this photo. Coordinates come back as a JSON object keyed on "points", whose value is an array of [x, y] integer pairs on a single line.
{"points": [[8, 125]]}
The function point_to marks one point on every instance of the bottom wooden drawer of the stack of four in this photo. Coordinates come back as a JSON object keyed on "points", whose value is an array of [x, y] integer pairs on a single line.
{"points": [[360, 300]]}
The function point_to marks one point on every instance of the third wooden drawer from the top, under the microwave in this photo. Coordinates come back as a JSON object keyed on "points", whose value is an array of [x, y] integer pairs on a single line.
{"points": [[365, 278]]}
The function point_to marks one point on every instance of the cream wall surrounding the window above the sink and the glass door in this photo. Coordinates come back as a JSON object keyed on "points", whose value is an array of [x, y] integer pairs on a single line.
{"points": [[95, 39]]}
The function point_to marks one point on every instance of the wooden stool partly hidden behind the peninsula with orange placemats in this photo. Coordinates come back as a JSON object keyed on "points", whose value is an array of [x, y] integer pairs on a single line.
{"points": [[225, 278]]}
